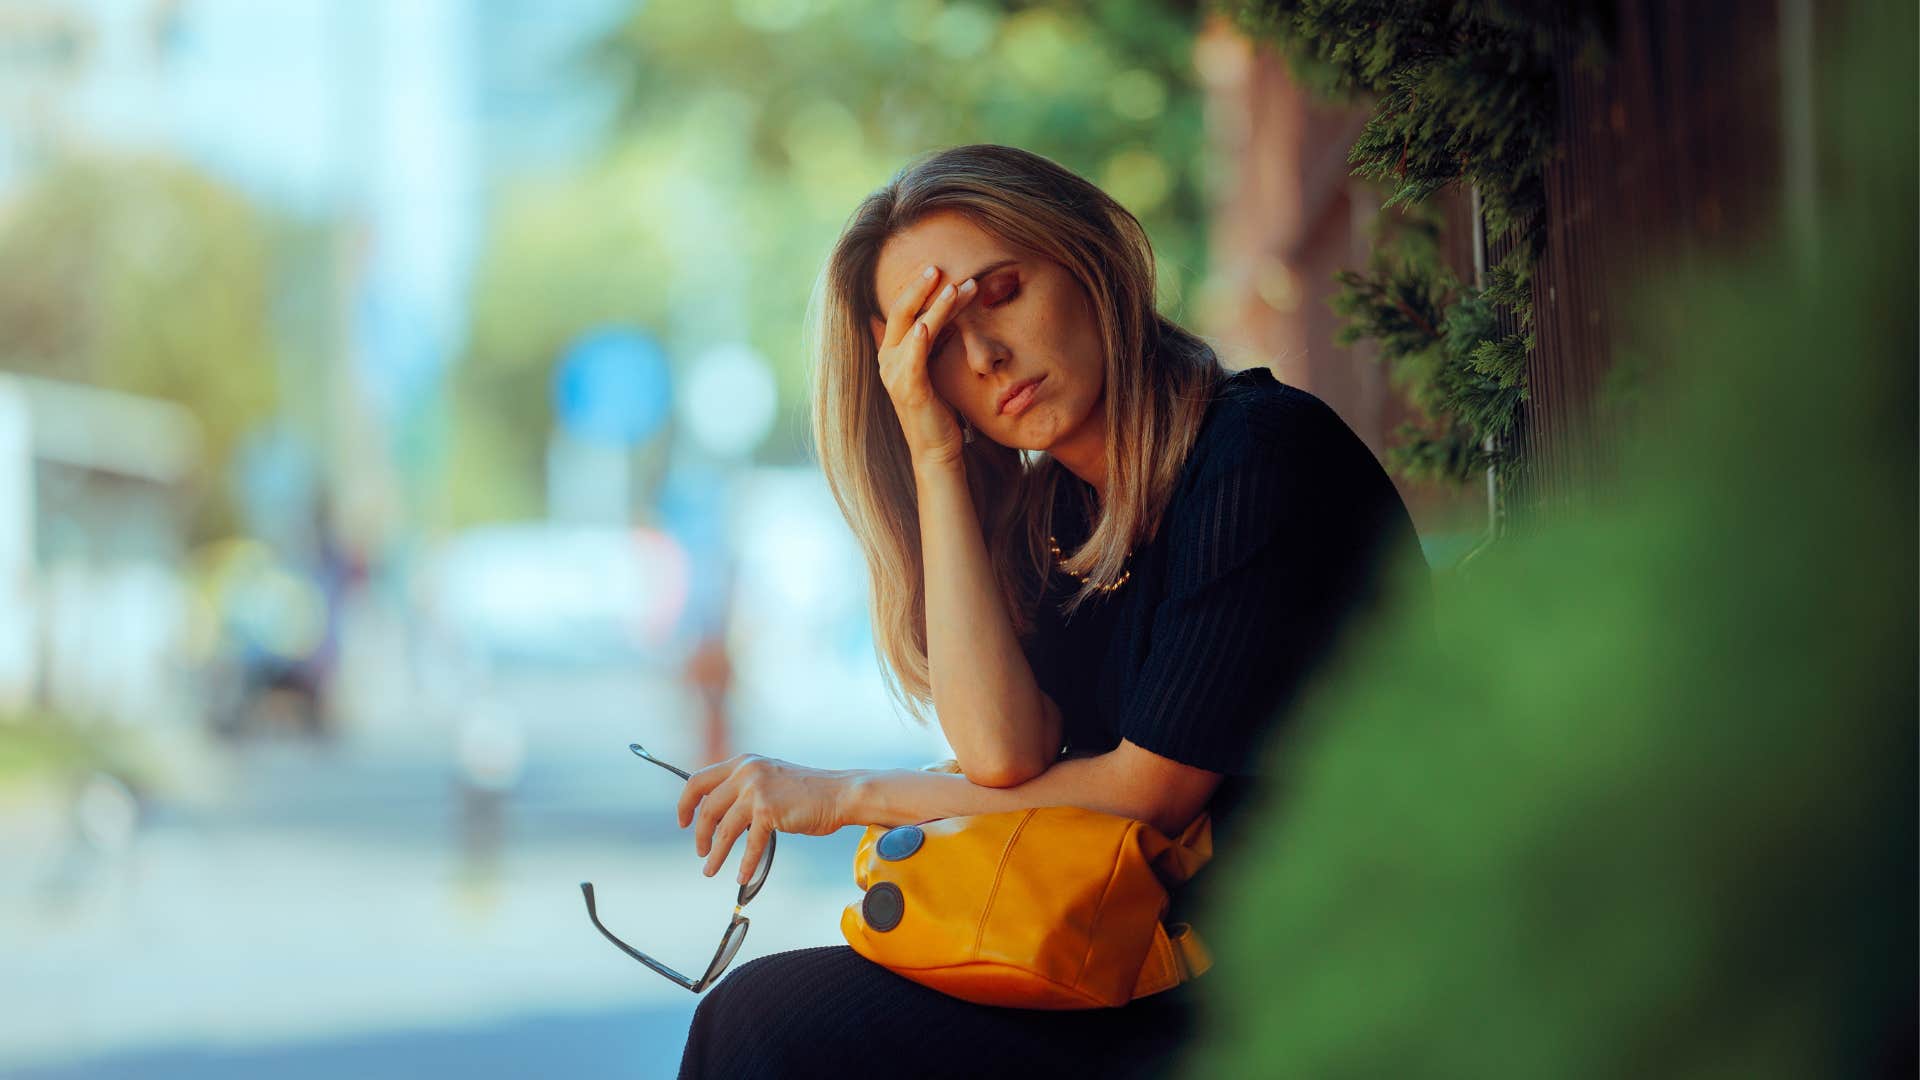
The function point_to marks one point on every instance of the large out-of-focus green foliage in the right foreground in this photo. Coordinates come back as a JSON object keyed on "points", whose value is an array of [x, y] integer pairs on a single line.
{"points": [[1648, 802]]}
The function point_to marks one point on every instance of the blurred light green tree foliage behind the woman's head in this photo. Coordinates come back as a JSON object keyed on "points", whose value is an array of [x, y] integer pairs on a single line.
{"points": [[750, 134]]}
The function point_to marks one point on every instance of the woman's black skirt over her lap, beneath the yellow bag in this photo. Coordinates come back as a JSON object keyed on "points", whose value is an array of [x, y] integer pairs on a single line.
{"points": [[830, 1012]]}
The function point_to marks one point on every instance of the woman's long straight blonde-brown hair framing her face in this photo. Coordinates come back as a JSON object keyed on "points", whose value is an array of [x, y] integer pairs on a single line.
{"points": [[1159, 383]]}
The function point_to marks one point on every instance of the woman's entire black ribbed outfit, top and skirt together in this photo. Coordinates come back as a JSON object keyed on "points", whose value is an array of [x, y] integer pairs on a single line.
{"points": [[1274, 539]]}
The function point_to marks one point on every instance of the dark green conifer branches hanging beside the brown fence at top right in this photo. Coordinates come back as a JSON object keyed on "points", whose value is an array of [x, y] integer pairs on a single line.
{"points": [[1462, 93]]}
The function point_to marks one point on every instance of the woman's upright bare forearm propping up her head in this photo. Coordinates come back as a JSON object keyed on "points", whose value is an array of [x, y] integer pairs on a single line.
{"points": [[984, 691]]}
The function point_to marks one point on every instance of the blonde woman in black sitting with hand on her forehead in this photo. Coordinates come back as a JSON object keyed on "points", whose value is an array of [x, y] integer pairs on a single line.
{"points": [[1103, 560]]}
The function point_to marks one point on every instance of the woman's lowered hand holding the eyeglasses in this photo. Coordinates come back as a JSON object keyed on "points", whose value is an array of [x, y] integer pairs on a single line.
{"points": [[757, 797]]}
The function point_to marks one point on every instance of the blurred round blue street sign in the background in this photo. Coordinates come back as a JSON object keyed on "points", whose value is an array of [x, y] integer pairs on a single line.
{"points": [[613, 387]]}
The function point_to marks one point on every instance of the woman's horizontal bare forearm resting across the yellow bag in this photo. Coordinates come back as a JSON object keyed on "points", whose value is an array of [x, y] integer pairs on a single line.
{"points": [[1101, 783]]}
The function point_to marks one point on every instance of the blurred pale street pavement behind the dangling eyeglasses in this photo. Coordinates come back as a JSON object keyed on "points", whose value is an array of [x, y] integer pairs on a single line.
{"points": [[348, 912]]}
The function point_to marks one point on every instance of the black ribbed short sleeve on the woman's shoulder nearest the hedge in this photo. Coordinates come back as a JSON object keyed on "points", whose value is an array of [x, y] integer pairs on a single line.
{"points": [[1243, 626]]}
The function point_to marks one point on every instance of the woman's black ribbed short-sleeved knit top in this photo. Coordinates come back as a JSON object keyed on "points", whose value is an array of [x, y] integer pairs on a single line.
{"points": [[1282, 529]]}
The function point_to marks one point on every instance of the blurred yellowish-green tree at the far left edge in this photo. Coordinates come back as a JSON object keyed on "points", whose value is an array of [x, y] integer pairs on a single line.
{"points": [[149, 278]]}
